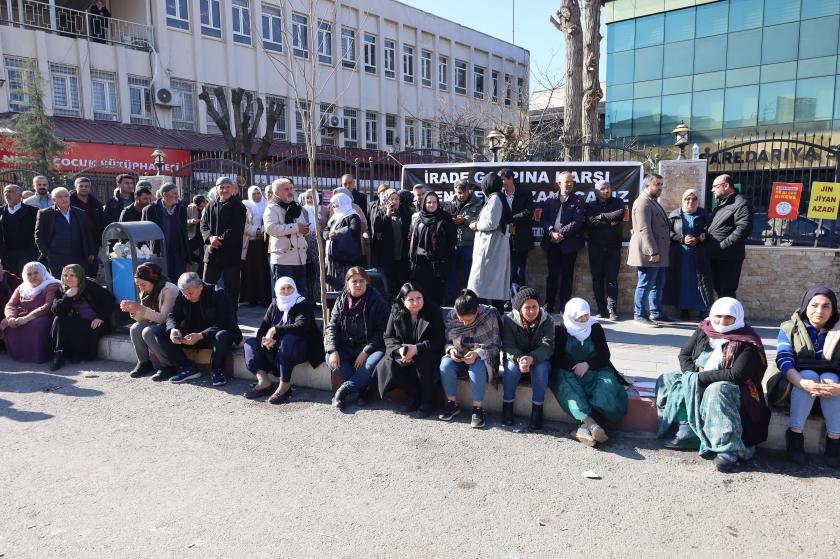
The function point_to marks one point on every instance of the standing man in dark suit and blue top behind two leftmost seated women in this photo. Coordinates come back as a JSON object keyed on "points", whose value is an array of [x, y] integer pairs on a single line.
{"points": [[62, 236]]}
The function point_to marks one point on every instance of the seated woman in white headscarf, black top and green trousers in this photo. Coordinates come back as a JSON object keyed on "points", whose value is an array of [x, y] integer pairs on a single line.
{"points": [[584, 380]]}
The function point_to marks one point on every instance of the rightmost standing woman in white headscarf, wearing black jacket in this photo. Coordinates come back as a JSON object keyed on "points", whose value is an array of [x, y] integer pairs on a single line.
{"points": [[343, 234]]}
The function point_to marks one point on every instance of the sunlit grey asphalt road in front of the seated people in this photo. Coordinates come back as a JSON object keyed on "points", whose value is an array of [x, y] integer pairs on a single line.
{"points": [[96, 464]]}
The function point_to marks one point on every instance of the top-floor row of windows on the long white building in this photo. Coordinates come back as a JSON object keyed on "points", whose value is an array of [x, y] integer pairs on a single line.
{"points": [[272, 37]]}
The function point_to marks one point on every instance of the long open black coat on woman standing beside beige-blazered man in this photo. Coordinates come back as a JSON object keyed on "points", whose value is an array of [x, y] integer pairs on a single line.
{"points": [[698, 252]]}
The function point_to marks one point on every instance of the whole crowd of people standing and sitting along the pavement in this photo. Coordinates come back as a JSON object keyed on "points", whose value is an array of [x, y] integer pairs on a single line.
{"points": [[258, 247]]}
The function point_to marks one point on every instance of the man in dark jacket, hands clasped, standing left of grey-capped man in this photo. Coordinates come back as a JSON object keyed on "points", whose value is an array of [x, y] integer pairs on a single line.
{"points": [[562, 222]]}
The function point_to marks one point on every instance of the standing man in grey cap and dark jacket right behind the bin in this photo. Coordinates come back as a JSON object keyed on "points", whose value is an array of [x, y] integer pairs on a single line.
{"points": [[171, 217]]}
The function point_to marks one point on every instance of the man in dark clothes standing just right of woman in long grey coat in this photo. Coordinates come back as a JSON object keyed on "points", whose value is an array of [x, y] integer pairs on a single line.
{"points": [[521, 202]]}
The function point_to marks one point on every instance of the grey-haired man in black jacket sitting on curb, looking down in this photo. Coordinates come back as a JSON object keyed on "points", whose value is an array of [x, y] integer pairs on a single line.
{"points": [[202, 318]]}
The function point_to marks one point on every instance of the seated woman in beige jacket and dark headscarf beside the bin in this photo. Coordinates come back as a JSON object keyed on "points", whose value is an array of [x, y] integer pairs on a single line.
{"points": [[157, 297]]}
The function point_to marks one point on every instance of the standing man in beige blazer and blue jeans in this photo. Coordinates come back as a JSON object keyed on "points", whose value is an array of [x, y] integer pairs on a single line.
{"points": [[650, 242]]}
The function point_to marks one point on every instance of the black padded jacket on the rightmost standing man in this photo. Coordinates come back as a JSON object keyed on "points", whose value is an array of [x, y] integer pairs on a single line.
{"points": [[731, 225]]}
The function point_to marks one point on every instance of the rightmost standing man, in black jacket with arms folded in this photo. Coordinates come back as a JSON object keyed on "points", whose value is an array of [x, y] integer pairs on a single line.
{"points": [[731, 225]]}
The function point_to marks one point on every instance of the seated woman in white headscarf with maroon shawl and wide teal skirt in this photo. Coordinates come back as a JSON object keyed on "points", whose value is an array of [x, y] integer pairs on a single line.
{"points": [[717, 401]]}
